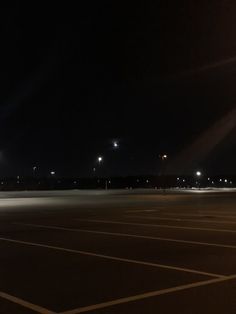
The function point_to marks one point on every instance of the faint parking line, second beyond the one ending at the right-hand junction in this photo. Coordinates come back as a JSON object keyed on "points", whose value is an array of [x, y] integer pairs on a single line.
{"points": [[117, 222]]}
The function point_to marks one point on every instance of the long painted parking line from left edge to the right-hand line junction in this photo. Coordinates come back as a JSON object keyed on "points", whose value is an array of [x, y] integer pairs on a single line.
{"points": [[109, 257]]}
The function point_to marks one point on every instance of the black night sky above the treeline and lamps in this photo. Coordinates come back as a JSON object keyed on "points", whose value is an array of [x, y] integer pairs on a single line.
{"points": [[154, 75]]}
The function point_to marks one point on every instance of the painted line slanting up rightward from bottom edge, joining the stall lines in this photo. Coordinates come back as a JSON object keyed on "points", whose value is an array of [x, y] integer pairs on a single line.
{"points": [[147, 295]]}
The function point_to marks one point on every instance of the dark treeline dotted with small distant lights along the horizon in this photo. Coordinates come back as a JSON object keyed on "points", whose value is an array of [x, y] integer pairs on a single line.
{"points": [[57, 183]]}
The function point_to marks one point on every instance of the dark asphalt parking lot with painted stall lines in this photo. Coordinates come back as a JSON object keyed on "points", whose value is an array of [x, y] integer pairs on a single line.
{"points": [[118, 252]]}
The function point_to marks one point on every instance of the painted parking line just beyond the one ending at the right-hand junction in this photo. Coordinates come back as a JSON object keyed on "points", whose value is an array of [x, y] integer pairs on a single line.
{"points": [[117, 234]]}
